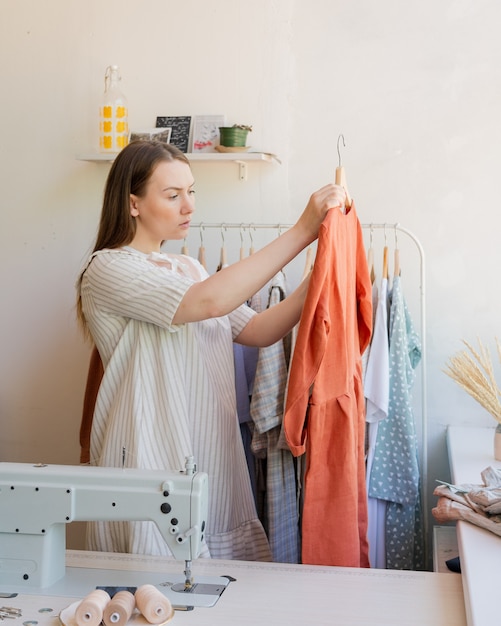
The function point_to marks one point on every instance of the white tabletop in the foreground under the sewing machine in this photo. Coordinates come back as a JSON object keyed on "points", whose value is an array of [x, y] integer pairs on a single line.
{"points": [[279, 594]]}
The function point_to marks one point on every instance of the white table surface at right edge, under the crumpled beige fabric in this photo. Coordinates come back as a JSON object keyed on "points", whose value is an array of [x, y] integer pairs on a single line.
{"points": [[471, 450]]}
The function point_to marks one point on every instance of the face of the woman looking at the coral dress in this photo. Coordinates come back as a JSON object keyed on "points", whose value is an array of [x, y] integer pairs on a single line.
{"points": [[164, 212]]}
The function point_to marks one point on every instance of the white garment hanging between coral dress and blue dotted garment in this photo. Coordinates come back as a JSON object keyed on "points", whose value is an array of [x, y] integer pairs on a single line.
{"points": [[377, 393]]}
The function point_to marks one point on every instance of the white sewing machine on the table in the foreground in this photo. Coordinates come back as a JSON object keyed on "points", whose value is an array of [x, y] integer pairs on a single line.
{"points": [[37, 501]]}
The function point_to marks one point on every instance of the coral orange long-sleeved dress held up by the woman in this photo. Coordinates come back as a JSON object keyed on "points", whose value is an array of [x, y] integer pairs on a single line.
{"points": [[325, 409]]}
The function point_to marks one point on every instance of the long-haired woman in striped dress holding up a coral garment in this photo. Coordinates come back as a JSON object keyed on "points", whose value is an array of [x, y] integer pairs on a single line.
{"points": [[164, 331]]}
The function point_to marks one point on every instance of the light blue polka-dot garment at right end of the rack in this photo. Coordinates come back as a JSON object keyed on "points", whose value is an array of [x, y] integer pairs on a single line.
{"points": [[395, 473]]}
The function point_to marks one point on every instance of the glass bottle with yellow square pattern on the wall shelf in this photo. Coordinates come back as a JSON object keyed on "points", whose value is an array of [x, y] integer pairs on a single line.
{"points": [[113, 114]]}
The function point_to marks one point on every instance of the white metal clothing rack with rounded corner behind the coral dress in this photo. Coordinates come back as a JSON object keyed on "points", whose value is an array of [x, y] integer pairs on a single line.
{"points": [[386, 227]]}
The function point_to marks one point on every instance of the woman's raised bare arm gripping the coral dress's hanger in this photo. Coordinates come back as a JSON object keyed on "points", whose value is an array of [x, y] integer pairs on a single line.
{"points": [[224, 291]]}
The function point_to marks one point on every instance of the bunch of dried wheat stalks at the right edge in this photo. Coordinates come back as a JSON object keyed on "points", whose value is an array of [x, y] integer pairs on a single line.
{"points": [[474, 373]]}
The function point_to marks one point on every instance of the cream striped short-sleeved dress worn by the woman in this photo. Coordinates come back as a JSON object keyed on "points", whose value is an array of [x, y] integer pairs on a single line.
{"points": [[168, 391]]}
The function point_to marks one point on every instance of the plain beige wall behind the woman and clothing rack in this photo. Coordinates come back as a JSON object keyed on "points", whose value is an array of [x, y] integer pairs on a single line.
{"points": [[413, 86]]}
